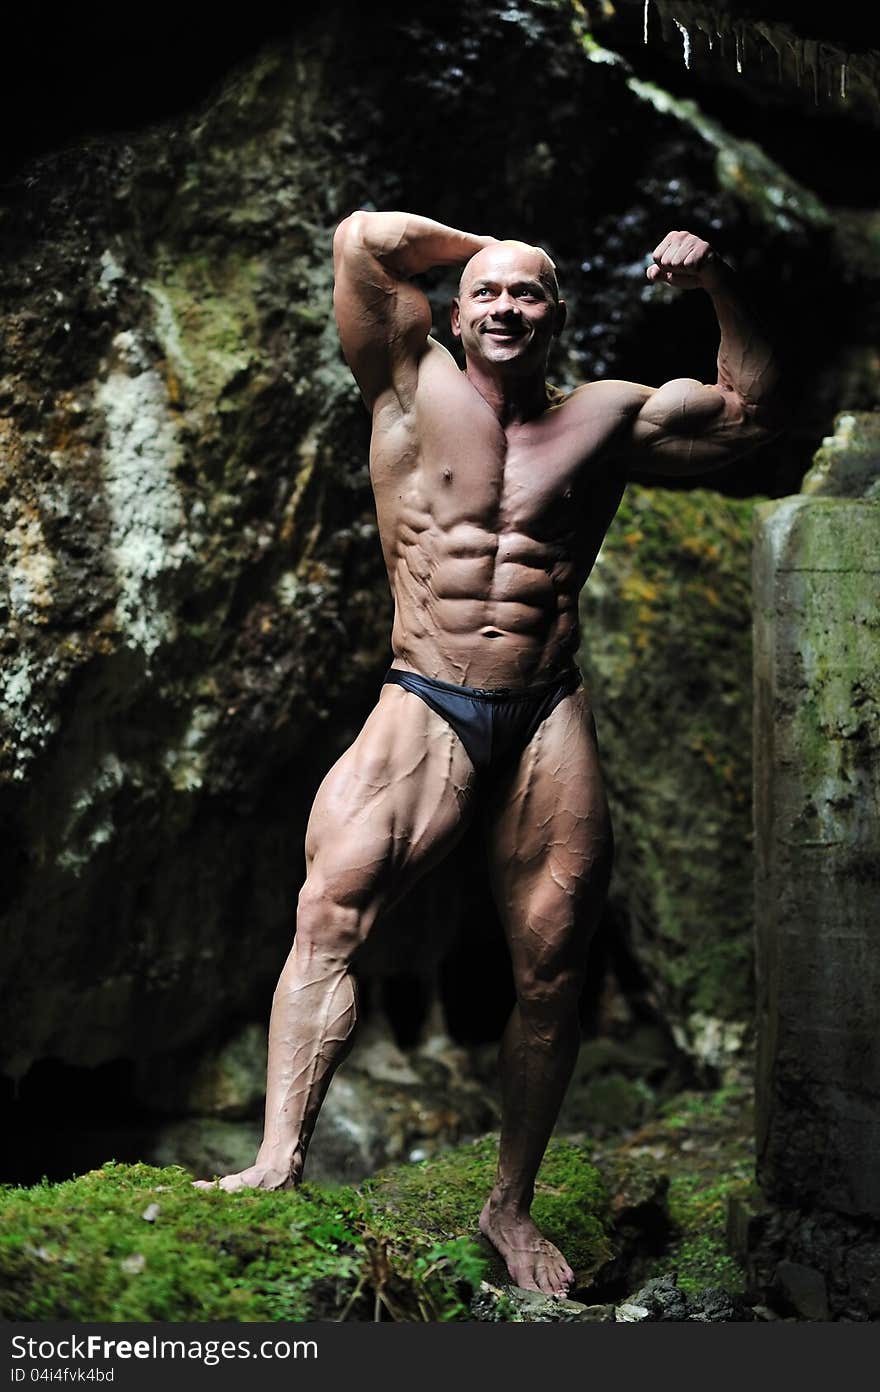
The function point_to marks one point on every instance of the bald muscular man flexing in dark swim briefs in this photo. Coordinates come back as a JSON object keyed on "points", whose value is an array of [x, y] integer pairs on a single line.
{"points": [[494, 495]]}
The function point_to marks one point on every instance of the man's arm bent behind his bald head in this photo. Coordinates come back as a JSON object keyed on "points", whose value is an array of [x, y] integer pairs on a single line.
{"points": [[384, 319]]}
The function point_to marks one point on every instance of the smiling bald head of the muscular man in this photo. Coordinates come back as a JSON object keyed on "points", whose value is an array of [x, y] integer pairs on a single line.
{"points": [[509, 308]]}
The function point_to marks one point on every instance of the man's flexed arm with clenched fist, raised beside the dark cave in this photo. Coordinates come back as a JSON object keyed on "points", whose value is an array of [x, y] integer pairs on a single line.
{"points": [[687, 427]]}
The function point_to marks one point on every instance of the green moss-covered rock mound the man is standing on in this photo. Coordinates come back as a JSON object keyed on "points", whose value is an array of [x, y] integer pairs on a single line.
{"points": [[136, 1242]]}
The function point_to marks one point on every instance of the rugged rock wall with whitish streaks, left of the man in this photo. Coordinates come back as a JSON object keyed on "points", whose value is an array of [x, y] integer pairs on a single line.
{"points": [[194, 603]]}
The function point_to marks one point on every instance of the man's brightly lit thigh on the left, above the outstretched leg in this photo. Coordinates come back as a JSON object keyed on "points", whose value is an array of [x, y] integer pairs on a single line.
{"points": [[393, 805]]}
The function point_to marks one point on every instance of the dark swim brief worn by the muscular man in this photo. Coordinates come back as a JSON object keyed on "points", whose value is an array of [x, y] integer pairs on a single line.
{"points": [[494, 723]]}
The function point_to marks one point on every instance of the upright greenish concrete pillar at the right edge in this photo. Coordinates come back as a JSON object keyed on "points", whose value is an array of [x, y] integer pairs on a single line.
{"points": [[818, 851]]}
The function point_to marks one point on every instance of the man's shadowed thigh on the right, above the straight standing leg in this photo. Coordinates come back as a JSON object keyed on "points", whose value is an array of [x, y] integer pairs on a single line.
{"points": [[549, 839]]}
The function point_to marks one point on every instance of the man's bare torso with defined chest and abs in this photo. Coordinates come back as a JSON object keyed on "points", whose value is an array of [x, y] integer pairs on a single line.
{"points": [[491, 532]]}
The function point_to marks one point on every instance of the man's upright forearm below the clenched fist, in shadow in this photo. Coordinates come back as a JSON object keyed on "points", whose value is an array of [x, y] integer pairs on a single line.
{"points": [[747, 361]]}
